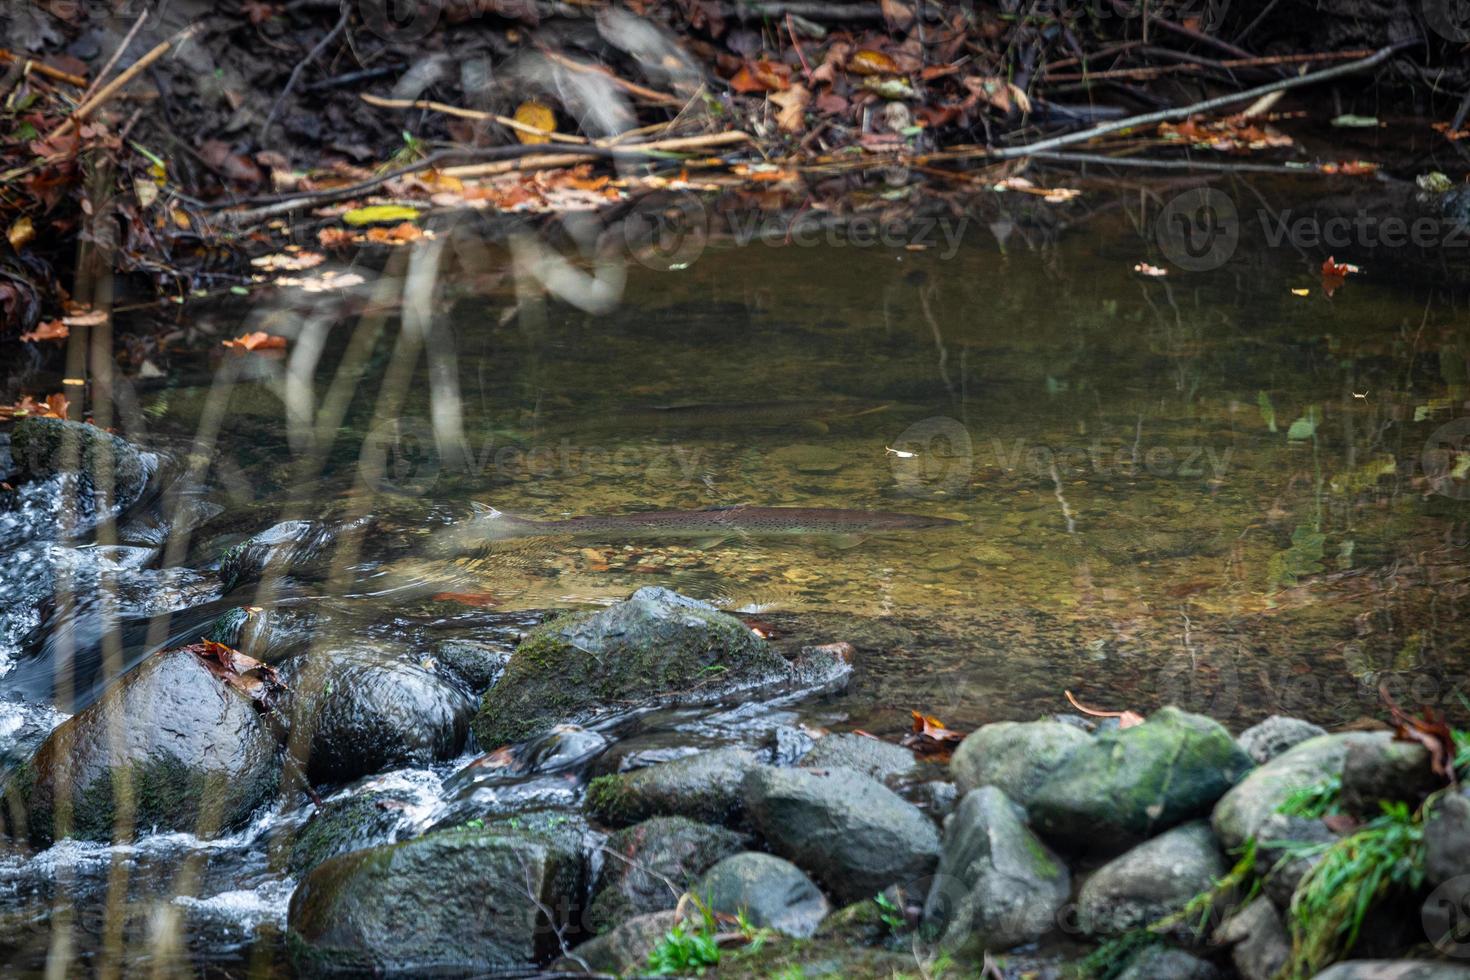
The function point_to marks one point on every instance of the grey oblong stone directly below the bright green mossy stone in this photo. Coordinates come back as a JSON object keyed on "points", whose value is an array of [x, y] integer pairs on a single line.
{"points": [[1152, 881]]}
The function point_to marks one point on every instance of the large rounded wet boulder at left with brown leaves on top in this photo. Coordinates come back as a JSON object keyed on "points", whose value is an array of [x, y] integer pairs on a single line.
{"points": [[195, 753]]}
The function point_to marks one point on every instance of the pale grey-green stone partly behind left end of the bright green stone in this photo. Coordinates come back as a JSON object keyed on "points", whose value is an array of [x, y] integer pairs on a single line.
{"points": [[1015, 757]]}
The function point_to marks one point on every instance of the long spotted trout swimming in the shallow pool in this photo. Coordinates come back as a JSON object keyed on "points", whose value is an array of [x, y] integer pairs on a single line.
{"points": [[708, 527]]}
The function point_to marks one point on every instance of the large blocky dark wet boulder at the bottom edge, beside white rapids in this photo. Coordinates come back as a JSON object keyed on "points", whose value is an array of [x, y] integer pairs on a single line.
{"points": [[452, 903]]}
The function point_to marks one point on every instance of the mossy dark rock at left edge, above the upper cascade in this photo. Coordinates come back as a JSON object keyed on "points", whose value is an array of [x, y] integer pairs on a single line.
{"points": [[99, 462]]}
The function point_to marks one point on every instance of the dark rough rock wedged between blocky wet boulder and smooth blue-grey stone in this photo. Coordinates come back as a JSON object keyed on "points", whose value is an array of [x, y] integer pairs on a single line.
{"points": [[649, 866]]}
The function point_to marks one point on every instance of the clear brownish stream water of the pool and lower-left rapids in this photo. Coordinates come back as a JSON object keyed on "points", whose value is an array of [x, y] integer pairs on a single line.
{"points": [[1199, 489]]}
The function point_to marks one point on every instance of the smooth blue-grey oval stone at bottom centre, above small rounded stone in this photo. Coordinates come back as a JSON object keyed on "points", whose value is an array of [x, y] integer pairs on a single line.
{"points": [[850, 831]]}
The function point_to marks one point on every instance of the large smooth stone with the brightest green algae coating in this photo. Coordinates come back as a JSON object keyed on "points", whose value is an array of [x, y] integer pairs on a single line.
{"points": [[1131, 784]]}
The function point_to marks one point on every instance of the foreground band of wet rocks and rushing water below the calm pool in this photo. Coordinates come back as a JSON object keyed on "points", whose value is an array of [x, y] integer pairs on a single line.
{"points": [[627, 791]]}
